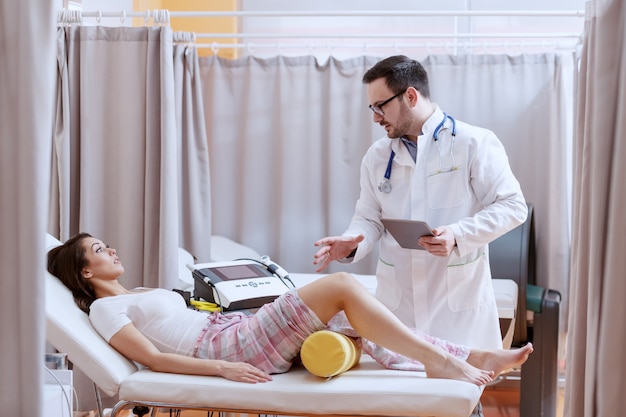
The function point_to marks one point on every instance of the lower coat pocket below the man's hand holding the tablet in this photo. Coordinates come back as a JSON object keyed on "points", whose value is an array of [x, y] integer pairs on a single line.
{"points": [[466, 284]]}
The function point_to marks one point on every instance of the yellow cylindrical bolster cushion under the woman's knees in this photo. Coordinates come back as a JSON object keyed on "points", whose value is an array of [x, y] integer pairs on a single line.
{"points": [[325, 353]]}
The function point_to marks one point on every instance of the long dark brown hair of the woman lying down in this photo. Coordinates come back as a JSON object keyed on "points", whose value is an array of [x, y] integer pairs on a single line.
{"points": [[66, 262]]}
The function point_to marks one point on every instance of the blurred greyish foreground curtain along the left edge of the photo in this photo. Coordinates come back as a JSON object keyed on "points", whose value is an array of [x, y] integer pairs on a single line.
{"points": [[26, 107]]}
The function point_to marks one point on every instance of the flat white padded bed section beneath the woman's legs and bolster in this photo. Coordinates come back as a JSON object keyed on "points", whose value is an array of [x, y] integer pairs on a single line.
{"points": [[366, 389]]}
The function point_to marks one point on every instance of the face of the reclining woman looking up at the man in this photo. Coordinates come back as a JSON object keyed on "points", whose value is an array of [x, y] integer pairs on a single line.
{"points": [[102, 261]]}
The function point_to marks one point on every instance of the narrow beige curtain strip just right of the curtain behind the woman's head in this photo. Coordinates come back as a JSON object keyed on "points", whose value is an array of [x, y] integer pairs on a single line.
{"points": [[194, 177]]}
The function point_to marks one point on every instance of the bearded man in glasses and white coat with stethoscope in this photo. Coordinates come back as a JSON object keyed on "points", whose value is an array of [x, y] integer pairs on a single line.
{"points": [[452, 175]]}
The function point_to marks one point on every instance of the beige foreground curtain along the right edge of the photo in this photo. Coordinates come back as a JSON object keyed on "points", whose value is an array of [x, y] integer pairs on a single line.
{"points": [[595, 368]]}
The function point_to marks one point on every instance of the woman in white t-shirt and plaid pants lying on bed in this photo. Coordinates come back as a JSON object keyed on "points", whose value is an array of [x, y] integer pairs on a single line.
{"points": [[155, 328]]}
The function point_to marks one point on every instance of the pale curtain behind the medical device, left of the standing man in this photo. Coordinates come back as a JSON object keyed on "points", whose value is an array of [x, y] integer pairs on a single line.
{"points": [[286, 136]]}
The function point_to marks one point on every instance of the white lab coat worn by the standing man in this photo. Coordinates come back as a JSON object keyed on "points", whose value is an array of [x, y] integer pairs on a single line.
{"points": [[451, 298]]}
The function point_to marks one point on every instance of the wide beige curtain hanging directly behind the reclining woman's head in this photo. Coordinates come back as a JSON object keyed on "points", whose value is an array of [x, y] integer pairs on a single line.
{"points": [[115, 146]]}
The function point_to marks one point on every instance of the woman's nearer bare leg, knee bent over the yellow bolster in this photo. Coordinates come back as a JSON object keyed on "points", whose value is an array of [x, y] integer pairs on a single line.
{"points": [[372, 320]]}
